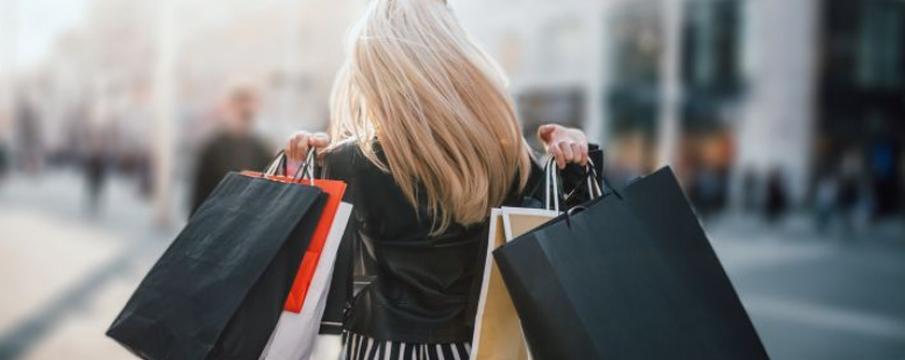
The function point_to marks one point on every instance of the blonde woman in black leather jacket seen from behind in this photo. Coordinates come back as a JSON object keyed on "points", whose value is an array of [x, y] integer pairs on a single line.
{"points": [[426, 137]]}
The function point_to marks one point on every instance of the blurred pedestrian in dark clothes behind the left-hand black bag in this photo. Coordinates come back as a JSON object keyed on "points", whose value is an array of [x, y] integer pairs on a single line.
{"points": [[233, 146]]}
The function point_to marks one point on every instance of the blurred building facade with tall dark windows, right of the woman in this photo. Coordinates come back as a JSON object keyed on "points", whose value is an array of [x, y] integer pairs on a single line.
{"points": [[770, 90]]}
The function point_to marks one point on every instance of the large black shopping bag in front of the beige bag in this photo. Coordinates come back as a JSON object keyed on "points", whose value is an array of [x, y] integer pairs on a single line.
{"points": [[631, 276]]}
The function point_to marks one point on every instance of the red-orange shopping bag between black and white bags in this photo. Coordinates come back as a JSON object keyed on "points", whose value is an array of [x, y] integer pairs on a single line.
{"points": [[334, 190]]}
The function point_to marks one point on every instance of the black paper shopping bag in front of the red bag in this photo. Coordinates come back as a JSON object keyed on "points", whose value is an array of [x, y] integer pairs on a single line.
{"points": [[218, 291]]}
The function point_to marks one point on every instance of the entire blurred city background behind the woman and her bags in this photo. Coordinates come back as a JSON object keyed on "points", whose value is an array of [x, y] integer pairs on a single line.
{"points": [[785, 120]]}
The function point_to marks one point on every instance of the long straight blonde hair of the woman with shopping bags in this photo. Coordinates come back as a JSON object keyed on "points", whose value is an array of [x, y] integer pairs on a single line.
{"points": [[437, 105]]}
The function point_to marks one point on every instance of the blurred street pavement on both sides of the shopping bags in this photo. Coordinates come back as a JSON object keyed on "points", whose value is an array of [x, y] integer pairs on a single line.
{"points": [[64, 275]]}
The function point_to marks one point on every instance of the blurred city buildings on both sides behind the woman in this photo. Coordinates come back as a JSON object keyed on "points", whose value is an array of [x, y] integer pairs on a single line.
{"points": [[767, 91]]}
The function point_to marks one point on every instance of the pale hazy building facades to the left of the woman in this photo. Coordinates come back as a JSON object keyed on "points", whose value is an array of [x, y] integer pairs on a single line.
{"points": [[142, 83]]}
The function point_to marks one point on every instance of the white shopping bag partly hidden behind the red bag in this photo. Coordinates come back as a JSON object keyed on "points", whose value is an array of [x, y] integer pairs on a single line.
{"points": [[296, 334]]}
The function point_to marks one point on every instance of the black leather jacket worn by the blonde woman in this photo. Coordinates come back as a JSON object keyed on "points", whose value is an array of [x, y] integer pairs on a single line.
{"points": [[420, 289]]}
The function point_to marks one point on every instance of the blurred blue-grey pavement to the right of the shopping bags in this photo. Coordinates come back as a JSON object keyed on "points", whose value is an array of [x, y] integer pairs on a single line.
{"points": [[819, 297]]}
